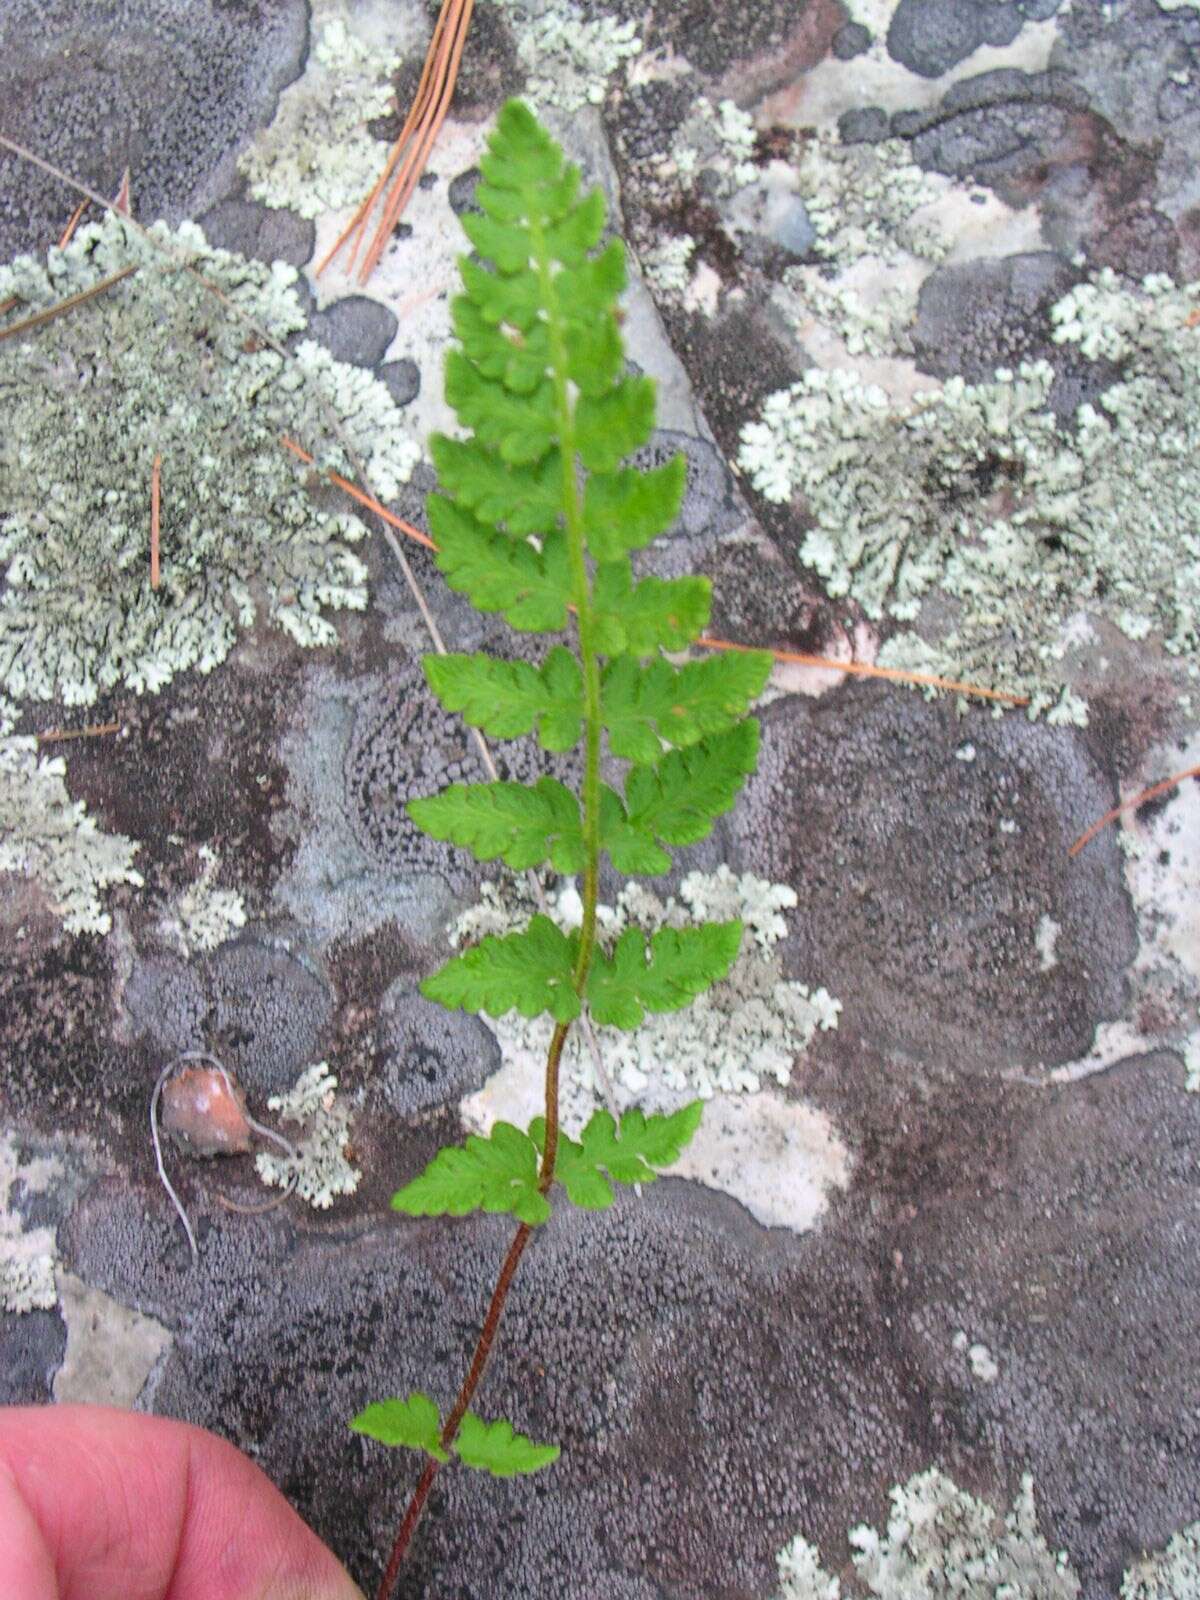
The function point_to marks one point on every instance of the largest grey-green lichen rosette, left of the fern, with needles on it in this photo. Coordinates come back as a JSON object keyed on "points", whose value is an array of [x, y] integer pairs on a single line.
{"points": [[159, 367]]}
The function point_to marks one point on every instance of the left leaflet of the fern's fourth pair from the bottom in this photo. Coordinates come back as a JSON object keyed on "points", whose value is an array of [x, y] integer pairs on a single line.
{"points": [[519, 823]]}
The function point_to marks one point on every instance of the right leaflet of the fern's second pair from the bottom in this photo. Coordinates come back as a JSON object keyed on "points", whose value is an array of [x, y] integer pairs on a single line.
{"points": [[628, 1156]]}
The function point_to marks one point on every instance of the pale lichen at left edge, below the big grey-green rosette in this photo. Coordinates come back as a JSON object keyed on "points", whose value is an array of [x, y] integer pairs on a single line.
{"points": [[50, 838]]}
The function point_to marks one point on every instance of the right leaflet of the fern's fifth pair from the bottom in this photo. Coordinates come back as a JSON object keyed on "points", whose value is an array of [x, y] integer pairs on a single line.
{"points": [[642, 706]]}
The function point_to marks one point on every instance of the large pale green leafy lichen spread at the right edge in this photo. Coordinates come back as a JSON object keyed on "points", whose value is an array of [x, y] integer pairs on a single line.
{"points": [[977, 494]]}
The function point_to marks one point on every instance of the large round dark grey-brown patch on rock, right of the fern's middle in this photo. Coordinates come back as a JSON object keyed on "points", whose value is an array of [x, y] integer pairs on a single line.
{"points": [[922, 914]]}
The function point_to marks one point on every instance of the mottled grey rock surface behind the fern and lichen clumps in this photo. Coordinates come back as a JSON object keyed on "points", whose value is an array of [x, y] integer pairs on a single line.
{"points": [[1009, 1281]]}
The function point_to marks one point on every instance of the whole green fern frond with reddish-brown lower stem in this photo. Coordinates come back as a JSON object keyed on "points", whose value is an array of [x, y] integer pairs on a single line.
{"points": [[537, 521]]}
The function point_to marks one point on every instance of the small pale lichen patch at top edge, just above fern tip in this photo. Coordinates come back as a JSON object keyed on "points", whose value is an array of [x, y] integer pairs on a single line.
{"points": [[569, 55]]}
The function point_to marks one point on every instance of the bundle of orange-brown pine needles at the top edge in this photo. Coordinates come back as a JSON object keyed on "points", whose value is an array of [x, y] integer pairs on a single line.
{"points": [[417, 140]]}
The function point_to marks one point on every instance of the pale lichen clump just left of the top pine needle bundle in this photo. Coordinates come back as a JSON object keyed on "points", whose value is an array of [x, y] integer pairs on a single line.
{"points": [[318, 153]]}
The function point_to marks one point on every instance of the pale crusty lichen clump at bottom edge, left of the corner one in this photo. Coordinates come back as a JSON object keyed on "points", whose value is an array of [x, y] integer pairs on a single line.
{"points": [[940, 1542]]}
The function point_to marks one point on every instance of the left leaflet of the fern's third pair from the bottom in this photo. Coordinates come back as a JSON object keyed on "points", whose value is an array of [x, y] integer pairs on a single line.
{"points": [[529, 972]]}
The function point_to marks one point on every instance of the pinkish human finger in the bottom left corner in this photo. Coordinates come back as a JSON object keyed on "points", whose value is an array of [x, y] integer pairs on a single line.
{"points": [[102, 1505]]}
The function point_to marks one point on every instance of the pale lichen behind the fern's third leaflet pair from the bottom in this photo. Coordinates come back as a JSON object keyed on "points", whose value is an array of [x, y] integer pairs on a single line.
{"points": [[746, 1030]]}
